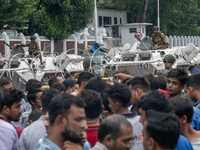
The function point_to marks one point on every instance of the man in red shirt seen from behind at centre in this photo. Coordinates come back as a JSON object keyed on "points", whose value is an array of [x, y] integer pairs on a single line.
{"points": [[93, 109]]}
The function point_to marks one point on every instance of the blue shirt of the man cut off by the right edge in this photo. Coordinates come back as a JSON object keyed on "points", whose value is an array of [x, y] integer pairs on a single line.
{"points": [[196, 119]]}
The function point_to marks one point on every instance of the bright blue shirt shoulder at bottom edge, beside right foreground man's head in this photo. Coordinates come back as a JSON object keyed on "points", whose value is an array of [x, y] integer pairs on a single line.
{"points": [[183, 144]]}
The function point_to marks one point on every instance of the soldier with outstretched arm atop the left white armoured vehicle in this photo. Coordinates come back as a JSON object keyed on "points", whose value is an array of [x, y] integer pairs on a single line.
{"points": [[33, 47]]}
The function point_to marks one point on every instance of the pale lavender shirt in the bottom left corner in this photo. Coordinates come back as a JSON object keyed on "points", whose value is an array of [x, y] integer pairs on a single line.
{"points": [[8, 136]]}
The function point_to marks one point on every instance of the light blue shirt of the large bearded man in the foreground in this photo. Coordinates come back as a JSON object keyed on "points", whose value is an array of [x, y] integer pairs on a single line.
{"points": [[46, 144]]}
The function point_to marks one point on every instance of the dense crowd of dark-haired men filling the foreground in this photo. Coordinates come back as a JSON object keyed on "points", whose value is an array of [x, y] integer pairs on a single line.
{"points": [[137, 113]]}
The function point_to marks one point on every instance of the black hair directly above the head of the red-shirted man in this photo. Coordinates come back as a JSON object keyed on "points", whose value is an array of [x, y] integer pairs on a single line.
{"points": [[97, 84]]}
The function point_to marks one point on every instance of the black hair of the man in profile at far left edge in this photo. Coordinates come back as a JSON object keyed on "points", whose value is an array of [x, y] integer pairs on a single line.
{"points": [[11, 97]]}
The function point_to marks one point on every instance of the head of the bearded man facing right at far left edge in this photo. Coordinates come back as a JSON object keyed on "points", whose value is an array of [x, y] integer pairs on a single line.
{"points": [[11, 104]]}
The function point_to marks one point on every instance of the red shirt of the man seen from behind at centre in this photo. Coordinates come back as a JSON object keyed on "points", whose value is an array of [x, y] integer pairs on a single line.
{"points": [[92, 134]]}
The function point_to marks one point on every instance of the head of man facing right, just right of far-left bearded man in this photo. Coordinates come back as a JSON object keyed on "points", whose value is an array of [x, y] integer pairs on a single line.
{"points": [[34, 98]]}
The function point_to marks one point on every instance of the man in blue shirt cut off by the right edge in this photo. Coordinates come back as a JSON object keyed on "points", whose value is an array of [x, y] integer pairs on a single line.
{"points": [[192, 91]]}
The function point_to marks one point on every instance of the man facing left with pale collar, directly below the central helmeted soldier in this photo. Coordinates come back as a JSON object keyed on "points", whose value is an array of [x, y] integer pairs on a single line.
{"points": [[83, 78]]}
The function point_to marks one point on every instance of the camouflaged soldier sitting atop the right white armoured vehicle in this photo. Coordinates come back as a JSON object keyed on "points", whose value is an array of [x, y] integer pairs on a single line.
{"points": [[158, 39]]}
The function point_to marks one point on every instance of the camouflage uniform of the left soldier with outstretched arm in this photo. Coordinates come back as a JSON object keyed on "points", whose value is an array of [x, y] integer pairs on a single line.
{"points": [[32, 48]]}
